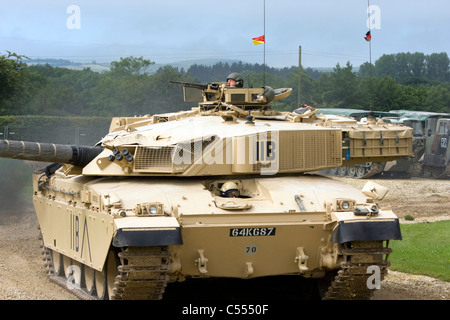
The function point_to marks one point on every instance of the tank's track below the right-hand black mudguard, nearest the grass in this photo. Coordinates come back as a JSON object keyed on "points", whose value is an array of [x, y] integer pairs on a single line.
{"points": [[351, 280]]}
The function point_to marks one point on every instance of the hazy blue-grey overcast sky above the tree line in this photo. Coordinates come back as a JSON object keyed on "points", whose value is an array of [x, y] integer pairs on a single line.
{"points": [[329, 31]]}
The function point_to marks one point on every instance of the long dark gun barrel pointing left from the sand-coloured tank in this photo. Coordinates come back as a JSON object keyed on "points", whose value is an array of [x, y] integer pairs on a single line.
{"points": [[48, 152]]}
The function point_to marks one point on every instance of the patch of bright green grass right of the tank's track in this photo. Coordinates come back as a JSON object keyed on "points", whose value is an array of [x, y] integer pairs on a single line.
{"points": [[425, 250]]}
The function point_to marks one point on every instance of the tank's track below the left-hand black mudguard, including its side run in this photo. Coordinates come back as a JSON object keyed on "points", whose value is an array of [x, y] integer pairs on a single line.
{"points": [[142, 274]]}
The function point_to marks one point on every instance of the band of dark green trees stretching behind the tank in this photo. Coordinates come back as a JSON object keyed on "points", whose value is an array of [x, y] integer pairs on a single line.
{"points": [[396, 81]]}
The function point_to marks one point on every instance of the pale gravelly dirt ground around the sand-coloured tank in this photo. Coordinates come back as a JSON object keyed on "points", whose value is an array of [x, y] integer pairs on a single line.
{"points": [[22, 275]]}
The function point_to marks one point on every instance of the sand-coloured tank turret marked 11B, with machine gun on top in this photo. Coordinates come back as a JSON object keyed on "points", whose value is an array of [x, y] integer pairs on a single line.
{"points": [[221, 137]]}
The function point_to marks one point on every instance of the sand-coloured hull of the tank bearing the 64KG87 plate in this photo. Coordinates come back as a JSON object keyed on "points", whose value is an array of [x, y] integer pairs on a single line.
{"points": [[197, 233]]}
